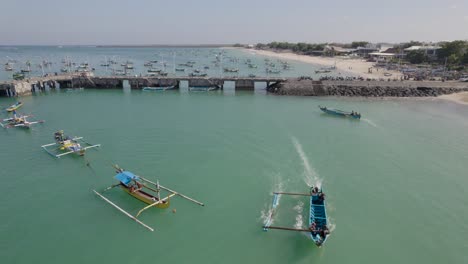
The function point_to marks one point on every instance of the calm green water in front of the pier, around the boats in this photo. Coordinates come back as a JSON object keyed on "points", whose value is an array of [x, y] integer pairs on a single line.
{"points": [[396, 181]]}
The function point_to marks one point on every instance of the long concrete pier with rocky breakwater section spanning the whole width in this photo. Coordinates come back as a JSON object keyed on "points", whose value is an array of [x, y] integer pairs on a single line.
{"points": [[279, 86]]}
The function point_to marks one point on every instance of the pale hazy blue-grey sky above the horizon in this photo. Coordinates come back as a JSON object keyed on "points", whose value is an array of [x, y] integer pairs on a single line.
{"points": [[146, 22]]}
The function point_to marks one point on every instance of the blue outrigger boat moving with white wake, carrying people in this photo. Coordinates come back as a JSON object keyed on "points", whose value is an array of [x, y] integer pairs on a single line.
{"points": [[318, 230]]}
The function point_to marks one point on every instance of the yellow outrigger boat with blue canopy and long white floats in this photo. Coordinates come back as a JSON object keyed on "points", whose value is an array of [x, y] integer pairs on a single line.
{"points": [[144, 190]]}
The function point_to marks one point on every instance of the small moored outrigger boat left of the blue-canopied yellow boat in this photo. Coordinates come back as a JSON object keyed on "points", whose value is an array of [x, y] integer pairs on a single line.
{"points": [[69, 145]]}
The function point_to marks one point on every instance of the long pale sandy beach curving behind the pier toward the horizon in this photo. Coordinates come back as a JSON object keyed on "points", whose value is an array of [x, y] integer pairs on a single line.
{"points": [[355, 66]]}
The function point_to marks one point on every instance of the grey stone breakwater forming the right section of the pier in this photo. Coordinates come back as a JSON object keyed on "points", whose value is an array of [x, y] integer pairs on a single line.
{"points": [[307, 87]]}
